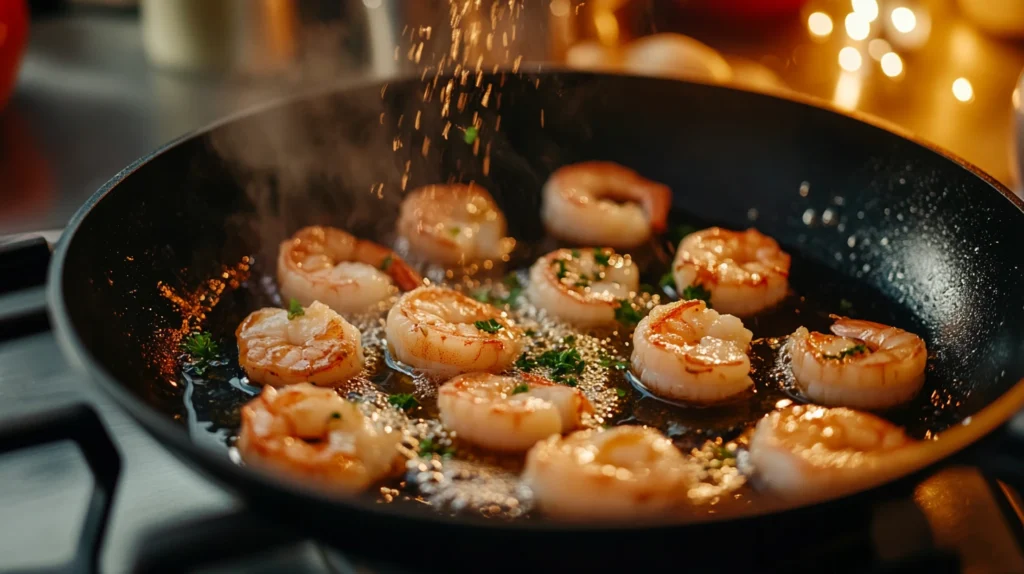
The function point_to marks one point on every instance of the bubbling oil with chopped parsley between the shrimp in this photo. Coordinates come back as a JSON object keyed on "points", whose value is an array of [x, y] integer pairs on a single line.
{"points": [[455, 477]]}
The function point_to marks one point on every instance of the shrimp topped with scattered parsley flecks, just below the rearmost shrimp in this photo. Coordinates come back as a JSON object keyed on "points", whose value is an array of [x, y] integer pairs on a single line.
{"points": [[583, 287]]}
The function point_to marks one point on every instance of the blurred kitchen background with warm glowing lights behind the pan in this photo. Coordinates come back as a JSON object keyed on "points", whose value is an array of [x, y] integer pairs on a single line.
{"points": [[88, 86]]}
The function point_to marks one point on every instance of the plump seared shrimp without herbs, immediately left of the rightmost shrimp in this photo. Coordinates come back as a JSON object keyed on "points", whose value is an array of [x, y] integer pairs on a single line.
{"points": [[686, 351]]}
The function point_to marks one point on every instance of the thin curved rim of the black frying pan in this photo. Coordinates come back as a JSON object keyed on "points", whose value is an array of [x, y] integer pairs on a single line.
{"points": [[245, 481]]}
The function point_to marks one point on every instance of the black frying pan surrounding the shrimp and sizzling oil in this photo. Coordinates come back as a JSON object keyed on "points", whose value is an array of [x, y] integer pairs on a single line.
{"points": [[933, 243]]}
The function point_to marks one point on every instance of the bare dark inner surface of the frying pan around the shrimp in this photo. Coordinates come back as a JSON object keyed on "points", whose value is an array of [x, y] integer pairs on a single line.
{"points": [[880, 229]]}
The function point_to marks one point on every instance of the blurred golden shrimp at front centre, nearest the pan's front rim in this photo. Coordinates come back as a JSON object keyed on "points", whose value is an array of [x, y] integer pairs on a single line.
{"points": [[622, 473]]}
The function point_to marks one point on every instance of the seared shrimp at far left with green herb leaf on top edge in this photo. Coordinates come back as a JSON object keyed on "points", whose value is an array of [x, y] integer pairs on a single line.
{"points": [[319, 346]]}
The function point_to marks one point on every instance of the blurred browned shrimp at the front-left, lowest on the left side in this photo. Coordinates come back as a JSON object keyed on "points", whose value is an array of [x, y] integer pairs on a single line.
{"points": [[313, 434]]}
